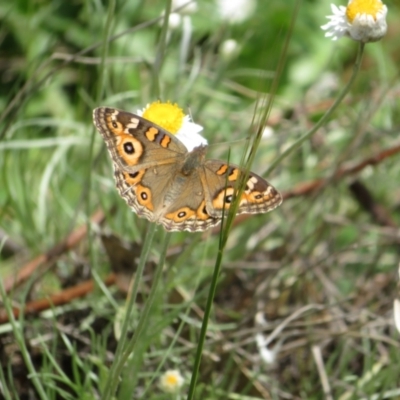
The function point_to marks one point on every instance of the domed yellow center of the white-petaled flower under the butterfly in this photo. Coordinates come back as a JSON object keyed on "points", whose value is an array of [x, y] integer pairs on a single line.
{"points": [[167, 115]]}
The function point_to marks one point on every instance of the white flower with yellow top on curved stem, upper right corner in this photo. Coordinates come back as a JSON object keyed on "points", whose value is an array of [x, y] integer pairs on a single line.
{"points": [[362, 20]]}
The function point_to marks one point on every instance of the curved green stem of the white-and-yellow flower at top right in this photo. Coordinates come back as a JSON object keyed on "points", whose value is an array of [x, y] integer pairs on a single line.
{"points": [[325, 117]]}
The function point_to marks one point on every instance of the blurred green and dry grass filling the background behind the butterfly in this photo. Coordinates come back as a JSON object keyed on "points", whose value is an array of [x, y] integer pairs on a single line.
{"points": [[322, 269]]}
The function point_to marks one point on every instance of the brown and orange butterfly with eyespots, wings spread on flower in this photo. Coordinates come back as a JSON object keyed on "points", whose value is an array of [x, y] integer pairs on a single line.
{"points": [[162, 181]]}
